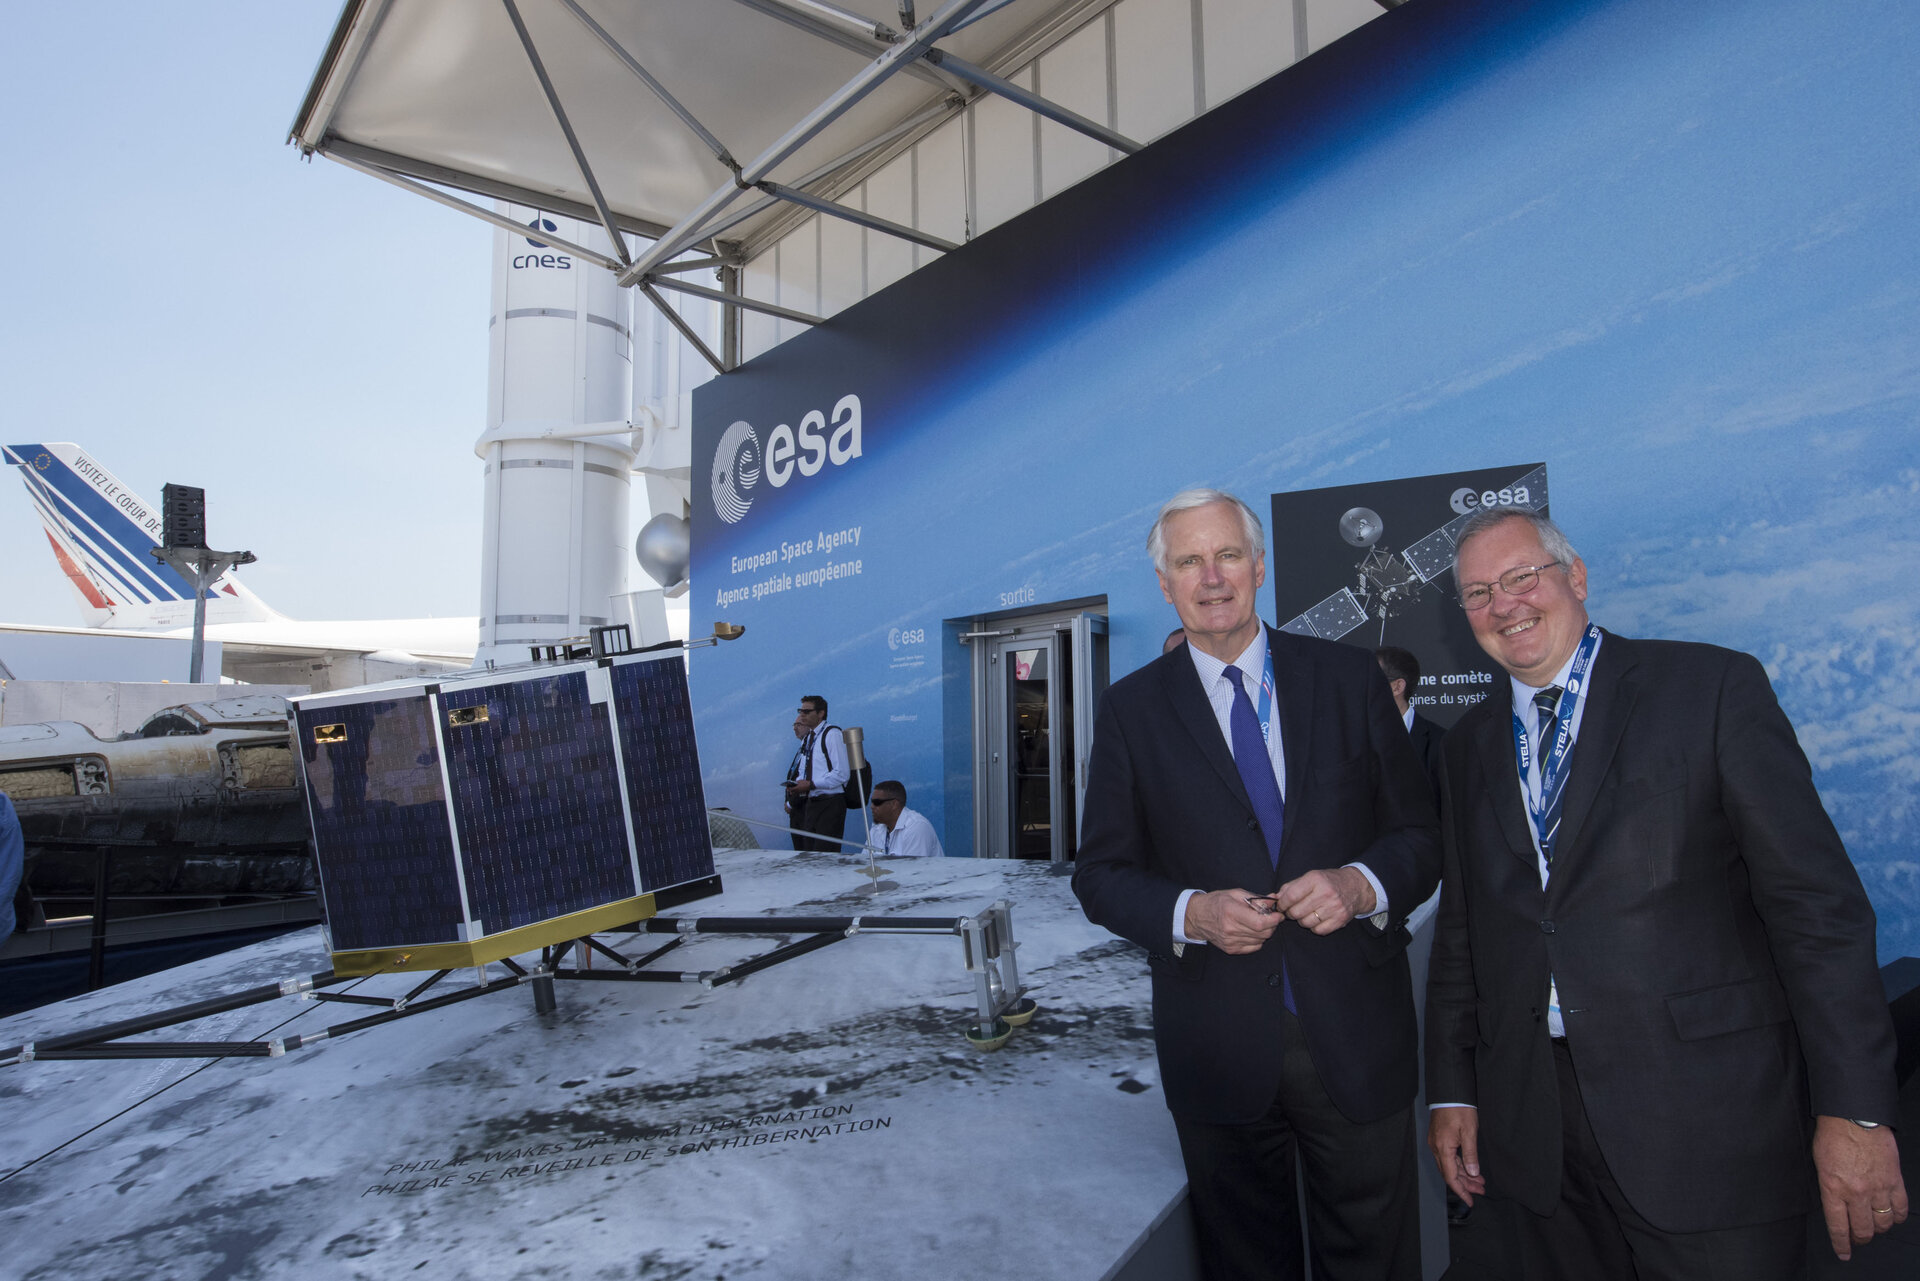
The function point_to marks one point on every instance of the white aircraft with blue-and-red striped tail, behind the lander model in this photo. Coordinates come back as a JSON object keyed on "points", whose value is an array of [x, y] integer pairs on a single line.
{"points": [[103, 535]]}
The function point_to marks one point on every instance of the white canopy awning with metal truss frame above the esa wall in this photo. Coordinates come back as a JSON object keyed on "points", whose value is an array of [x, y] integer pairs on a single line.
{"points": [[698, 126]]}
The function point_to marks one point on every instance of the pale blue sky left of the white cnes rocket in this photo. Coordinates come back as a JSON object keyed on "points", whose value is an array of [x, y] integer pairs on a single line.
{"points": [[193, 302]]}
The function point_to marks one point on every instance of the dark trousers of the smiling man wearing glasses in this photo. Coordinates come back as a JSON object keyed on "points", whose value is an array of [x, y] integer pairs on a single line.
{"points": [[1596, 1236]]}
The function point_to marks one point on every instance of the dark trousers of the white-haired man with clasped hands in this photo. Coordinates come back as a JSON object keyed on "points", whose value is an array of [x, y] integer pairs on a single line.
{"points": [[1360, 1188]]}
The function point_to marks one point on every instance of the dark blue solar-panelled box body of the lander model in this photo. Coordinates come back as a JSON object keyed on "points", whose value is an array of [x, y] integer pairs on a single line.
{"points": [[489, 815]]}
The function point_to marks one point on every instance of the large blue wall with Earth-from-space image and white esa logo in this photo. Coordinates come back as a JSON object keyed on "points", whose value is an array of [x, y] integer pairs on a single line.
{"points": [[1668, 249]]}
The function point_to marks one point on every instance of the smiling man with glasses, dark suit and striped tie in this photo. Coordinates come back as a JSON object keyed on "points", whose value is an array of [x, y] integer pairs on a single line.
{"points": [[1654, 982]]}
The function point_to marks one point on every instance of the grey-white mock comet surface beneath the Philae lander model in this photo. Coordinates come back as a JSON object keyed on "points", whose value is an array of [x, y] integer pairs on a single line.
{"points": [[825, 1119]]}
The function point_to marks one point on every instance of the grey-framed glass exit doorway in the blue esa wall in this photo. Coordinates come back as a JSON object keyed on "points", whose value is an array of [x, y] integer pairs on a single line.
{"points": [[1038, 681]]}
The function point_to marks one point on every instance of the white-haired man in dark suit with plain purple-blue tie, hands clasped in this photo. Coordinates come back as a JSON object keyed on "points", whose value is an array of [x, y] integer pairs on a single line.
{"points": [[1257, 821]]}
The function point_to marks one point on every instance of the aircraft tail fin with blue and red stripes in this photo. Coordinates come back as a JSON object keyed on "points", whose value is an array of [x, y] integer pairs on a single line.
{"points": [[103, 539]]}
